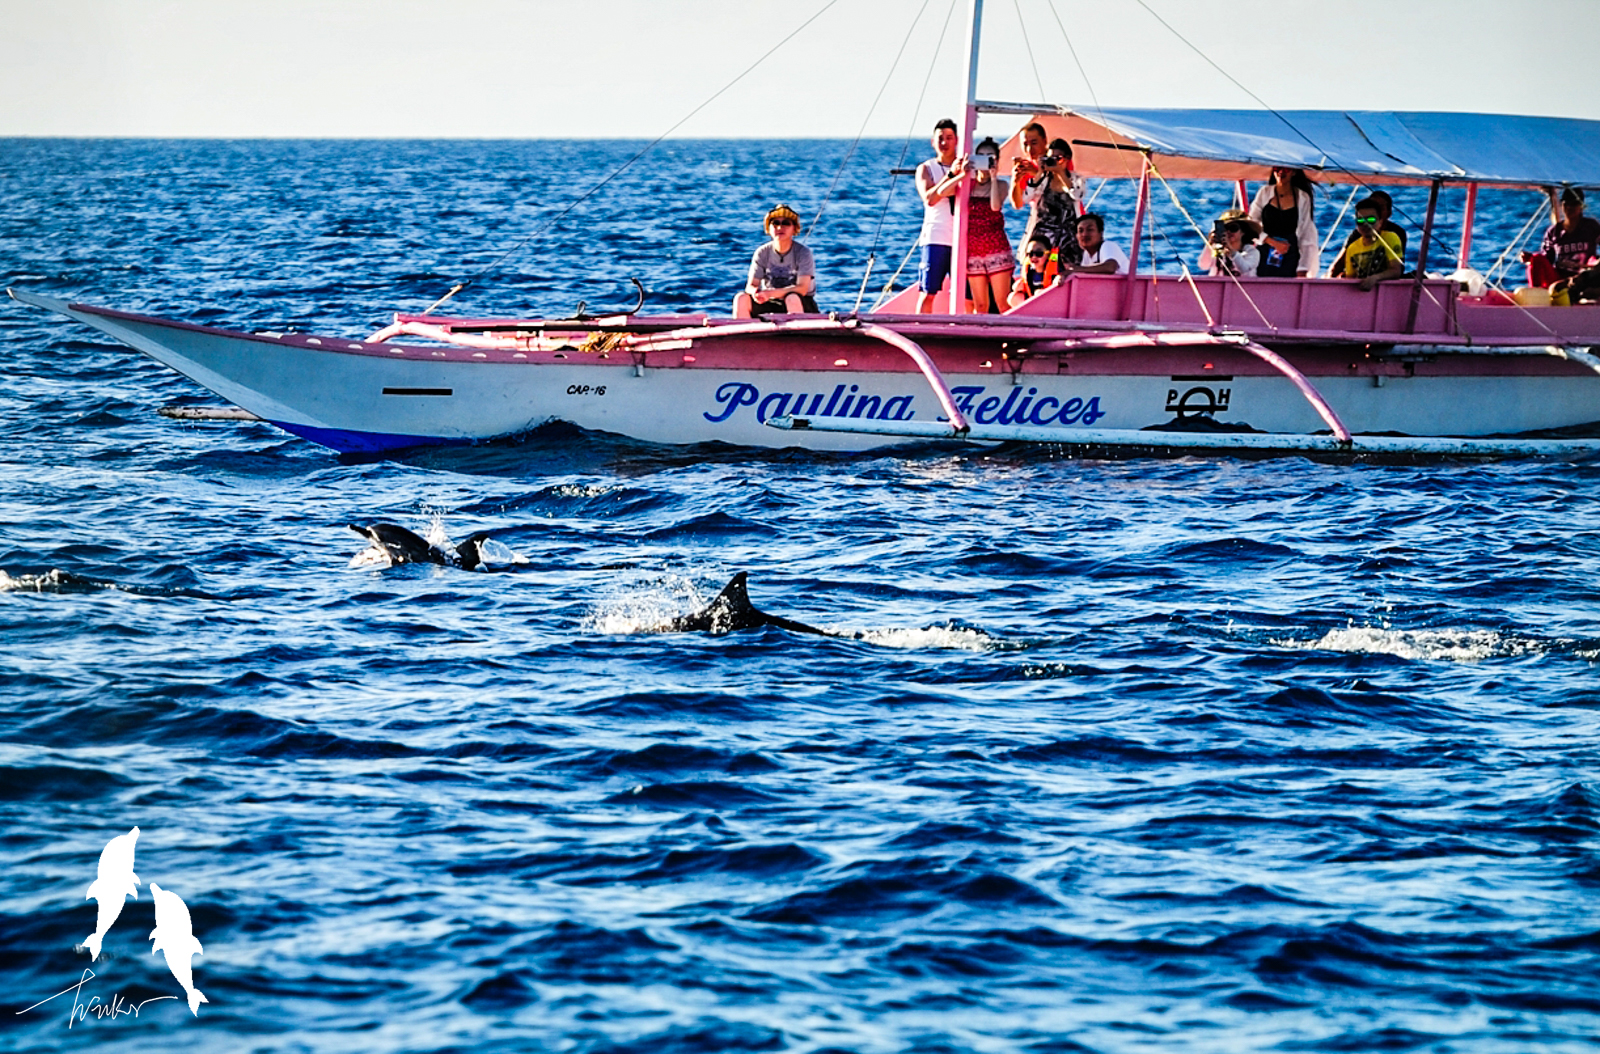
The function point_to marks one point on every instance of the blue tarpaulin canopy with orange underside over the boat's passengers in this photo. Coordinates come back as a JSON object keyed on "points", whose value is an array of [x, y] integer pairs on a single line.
{"points": [[1340, 146]]}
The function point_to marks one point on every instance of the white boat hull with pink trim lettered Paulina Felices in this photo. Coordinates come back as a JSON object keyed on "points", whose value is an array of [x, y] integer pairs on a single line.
{"points": [[366, 397]]}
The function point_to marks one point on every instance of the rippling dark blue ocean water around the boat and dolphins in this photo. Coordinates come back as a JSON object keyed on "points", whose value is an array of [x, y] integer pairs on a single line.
{"points": [[1113, 756]]}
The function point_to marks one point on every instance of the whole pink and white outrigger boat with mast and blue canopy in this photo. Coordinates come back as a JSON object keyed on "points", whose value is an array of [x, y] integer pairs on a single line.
{"points": [[1138, 361]]}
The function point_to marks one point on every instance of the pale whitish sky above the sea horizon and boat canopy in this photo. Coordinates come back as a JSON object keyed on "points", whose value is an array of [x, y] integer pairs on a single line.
{"points": [[636, 68]]}
